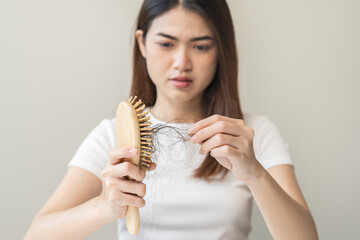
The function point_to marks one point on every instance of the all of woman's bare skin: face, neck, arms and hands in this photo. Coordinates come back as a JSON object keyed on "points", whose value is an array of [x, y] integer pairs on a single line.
{"points": [[83, 203]]}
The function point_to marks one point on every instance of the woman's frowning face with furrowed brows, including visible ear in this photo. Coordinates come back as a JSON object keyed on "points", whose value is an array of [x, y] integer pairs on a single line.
{"points": [[181, 55]]}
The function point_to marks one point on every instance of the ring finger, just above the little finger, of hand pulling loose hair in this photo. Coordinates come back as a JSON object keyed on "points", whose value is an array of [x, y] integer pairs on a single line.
{"points": [[218, 140]]}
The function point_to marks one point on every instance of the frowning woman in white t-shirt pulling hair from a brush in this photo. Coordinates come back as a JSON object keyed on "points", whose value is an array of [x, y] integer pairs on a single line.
{"points": [[185, 69]]}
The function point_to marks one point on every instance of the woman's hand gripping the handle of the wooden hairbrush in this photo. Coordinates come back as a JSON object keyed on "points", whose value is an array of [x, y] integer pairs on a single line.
{"points": [[117, 191]]}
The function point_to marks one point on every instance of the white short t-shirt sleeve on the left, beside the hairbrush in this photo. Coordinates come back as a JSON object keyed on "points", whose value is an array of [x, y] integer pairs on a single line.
{"points": [[93, 153]]}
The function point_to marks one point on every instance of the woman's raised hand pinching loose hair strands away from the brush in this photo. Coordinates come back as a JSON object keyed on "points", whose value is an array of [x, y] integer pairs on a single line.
{"points": [[229, 141]]}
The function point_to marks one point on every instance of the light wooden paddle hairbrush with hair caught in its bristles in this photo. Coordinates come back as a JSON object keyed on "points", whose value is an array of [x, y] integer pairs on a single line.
{"points": [[132, 130]]}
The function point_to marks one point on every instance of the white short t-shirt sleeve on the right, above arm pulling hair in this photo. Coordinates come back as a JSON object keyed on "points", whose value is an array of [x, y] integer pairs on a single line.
{"points": [[269, 146]]}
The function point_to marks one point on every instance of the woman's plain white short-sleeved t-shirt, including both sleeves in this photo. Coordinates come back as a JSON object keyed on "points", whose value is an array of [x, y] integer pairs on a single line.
{"points": [[177, 205]]}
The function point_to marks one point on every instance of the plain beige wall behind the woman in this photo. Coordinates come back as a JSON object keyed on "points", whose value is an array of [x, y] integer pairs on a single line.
{"points": [[65, 65]]}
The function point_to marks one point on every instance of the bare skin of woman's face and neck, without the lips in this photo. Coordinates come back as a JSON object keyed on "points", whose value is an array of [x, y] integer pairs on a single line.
{"points": [[182, 56]]}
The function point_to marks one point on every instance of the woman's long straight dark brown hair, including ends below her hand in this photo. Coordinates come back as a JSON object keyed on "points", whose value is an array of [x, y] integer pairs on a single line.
{"points": [[221, 96]]}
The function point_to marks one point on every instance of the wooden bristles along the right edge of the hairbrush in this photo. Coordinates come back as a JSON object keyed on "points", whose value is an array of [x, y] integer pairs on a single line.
{"points": [[146, 144]]}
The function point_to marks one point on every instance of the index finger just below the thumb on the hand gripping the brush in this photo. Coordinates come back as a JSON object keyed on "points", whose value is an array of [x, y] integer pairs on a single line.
{"points": [[128, 169]]}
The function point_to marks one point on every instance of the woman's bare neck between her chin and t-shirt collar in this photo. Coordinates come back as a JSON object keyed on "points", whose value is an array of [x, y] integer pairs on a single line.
{"points": [[178, 112]]}
